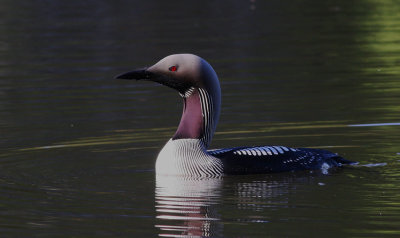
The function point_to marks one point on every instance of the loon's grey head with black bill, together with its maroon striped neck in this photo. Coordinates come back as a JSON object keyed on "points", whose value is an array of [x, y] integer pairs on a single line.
{"points": [[198, 85]]}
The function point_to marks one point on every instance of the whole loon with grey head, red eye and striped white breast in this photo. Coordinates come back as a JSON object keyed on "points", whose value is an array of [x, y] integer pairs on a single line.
{"points": [[186, 154]]}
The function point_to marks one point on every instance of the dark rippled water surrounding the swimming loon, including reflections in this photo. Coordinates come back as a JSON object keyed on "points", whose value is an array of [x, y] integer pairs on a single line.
{"points": [[77, 148]]}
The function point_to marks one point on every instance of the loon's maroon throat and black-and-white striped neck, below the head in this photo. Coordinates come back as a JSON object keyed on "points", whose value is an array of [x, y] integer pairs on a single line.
{"points": [[199, 117]]}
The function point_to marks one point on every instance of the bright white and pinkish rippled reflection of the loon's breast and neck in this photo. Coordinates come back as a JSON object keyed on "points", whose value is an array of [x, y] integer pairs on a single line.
{"points": [[186, 207]]}
